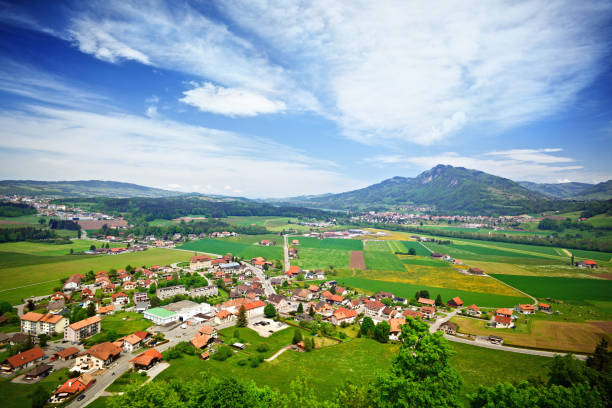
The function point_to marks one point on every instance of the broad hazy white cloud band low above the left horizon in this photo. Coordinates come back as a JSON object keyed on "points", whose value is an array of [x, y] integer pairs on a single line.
{"points": [[63, 143]]}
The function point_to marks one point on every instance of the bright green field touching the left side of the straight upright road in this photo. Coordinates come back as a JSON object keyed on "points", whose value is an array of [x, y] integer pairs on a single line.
{"points": [[221, 247]]}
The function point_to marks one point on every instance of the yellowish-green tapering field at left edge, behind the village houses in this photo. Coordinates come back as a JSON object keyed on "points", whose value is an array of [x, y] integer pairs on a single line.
{"points": [[34, 279]]}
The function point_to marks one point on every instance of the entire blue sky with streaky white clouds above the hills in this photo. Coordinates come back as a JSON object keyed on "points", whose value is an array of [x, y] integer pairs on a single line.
{"points": [[268, 99]]}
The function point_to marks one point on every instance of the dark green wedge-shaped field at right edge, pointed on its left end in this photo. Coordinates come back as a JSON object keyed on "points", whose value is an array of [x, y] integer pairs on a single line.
{"points": [[561, 288]]}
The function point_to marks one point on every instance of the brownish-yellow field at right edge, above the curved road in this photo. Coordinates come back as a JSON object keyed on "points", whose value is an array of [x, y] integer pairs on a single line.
{"points": [[545, 334]]}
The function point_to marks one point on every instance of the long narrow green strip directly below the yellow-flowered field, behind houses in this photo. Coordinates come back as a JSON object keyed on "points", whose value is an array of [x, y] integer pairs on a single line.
{"points": [[407, 290]]}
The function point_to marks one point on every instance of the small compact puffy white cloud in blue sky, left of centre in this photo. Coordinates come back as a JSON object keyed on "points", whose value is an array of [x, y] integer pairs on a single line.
{"points": [[230, 101]]}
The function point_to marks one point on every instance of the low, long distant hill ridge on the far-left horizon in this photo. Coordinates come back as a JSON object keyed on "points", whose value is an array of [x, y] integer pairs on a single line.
{"points": [[81, 188]]}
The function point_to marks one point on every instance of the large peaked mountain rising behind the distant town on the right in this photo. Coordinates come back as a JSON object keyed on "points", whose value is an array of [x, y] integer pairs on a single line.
{"points": [[447, 188]]}
